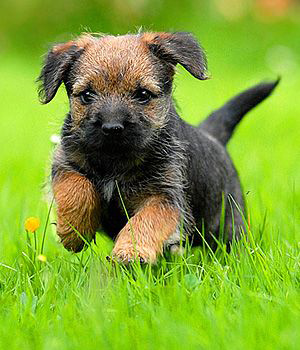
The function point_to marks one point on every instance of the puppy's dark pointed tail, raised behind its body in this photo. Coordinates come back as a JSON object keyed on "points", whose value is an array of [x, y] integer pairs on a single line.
{"points": [[222, 122]]}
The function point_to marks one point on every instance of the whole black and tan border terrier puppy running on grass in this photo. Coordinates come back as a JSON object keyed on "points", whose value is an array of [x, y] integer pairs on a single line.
{"points": [[125, 151]]}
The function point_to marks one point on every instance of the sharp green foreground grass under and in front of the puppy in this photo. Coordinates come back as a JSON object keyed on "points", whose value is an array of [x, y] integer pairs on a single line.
{"points": [[202, 299]]}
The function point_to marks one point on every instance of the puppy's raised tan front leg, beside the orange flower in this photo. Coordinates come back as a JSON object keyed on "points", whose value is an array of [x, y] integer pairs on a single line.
{"points": [[77, 207]]}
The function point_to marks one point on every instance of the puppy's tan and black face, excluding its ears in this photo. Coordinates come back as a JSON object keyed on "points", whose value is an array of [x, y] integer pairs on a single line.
{"points": [[120, 94]]}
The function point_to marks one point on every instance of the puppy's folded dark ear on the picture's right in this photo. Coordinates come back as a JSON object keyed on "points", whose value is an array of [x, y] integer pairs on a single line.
{"points": [[179, 47]]}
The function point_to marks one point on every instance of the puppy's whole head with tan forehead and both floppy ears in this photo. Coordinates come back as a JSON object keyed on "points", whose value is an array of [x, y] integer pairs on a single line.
{"points": [[119, 87]]}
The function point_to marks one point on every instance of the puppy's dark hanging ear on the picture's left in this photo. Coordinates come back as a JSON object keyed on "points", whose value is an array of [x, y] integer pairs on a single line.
{"points": [[57, 65]]}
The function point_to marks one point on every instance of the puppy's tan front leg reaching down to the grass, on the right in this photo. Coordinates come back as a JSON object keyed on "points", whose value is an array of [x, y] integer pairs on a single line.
{"points": [[144, 235]]}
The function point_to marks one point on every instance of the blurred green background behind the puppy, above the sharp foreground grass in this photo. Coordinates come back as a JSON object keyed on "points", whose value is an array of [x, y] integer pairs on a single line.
{"points": [[246, 42]]}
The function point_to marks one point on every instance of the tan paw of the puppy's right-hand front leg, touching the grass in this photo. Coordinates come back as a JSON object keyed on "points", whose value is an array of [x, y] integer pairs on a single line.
{"points": [[127, 254]]}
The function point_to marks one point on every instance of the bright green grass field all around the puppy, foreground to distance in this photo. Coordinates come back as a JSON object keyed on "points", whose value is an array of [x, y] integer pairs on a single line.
{"points": [[248, 299]]}
